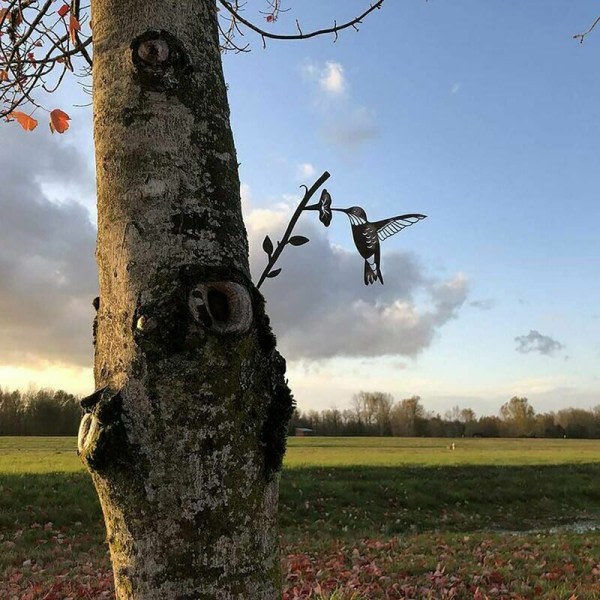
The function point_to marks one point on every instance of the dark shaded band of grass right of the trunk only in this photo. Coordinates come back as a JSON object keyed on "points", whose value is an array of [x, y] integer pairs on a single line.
{"points": [[367, 501]]}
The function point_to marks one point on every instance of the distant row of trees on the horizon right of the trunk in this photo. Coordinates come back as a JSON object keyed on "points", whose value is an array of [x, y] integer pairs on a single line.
{"points": [[378, 414]]}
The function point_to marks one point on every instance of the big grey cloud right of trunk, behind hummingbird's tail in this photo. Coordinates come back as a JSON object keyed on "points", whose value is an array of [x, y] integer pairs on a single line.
{"points": [[320, 307]]}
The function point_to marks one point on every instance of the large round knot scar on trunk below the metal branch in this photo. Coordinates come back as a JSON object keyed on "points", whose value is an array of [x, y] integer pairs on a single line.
{"points": [[221, 306]]}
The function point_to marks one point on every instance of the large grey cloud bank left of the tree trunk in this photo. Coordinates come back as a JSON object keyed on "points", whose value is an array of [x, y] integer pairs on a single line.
{"points": [[47, 270]]}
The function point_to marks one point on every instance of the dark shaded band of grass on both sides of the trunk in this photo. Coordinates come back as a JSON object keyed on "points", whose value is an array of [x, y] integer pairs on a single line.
{"points": [[336, 502]]}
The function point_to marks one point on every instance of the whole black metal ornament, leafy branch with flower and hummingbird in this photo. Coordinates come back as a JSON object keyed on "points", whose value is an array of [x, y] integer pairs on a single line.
{"points": [[367, 235]]}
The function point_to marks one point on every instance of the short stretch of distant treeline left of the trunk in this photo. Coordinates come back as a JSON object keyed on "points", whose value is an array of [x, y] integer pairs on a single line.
{"points": [[42, 412]]}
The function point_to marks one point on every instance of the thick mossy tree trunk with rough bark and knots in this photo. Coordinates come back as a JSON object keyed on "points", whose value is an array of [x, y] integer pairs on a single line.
{"points": [[185, 433]]}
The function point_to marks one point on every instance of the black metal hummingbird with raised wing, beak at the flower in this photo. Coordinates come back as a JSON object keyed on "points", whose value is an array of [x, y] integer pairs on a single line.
{"points": [[367, 237]]}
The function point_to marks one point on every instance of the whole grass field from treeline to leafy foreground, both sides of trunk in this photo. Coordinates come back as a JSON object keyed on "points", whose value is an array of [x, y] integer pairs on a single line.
{"points": [[361, 518]]}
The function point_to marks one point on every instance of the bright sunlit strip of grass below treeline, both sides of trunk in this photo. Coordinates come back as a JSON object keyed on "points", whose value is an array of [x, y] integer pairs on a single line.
{"points": [[57, 454]]}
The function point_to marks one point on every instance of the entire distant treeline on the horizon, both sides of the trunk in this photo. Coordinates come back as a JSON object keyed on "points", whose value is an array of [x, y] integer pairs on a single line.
{"points": [[49, 412]]}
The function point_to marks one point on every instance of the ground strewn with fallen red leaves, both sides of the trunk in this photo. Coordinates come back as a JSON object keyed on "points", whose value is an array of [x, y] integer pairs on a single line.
{"points": [[477, 566]]}
